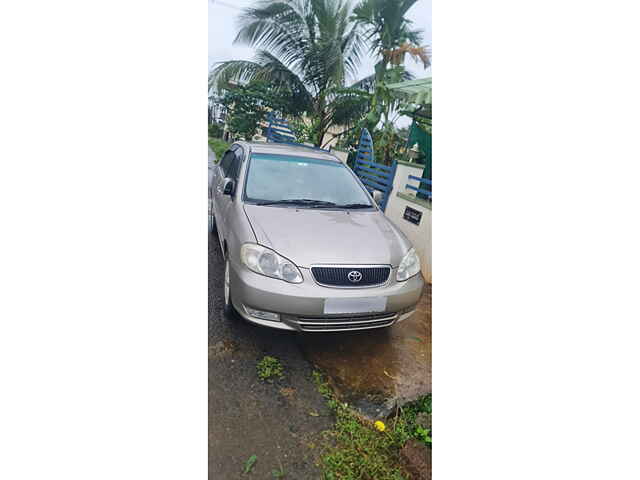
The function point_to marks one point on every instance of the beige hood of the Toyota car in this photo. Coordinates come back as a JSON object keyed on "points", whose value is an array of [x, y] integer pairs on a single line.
{"points": [[310, 236]]}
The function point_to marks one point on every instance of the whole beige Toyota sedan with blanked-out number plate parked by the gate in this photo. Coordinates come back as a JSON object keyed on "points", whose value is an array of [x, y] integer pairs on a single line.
{"points": [[305, 246]]}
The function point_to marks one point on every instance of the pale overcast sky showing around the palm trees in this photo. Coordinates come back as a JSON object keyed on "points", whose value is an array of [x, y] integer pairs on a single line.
{"points": [[223, 29]]}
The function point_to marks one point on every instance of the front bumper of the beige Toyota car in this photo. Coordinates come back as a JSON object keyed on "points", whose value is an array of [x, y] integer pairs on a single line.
{"points": [[301, 307]]}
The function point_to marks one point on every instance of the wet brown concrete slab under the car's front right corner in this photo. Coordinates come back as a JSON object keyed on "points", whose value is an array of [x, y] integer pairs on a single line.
{"points": [[379, 369]]}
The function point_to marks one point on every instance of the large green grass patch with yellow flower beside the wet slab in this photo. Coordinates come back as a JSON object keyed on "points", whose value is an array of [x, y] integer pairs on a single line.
{"points": [[360, 451]]}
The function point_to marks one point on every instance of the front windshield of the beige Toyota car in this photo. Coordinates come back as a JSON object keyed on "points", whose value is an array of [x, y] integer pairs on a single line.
{"points": [[283, 179]]}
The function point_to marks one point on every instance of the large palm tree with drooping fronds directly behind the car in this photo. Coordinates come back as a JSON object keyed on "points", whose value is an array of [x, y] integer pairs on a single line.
{"points": [[308, 47]]}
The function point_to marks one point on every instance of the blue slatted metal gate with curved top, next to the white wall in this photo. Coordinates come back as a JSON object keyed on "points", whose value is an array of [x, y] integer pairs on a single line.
{"points": [[375, 176]]}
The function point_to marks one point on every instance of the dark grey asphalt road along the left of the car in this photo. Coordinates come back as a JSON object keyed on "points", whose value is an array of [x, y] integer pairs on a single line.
{"points": [[280, 423]]}
